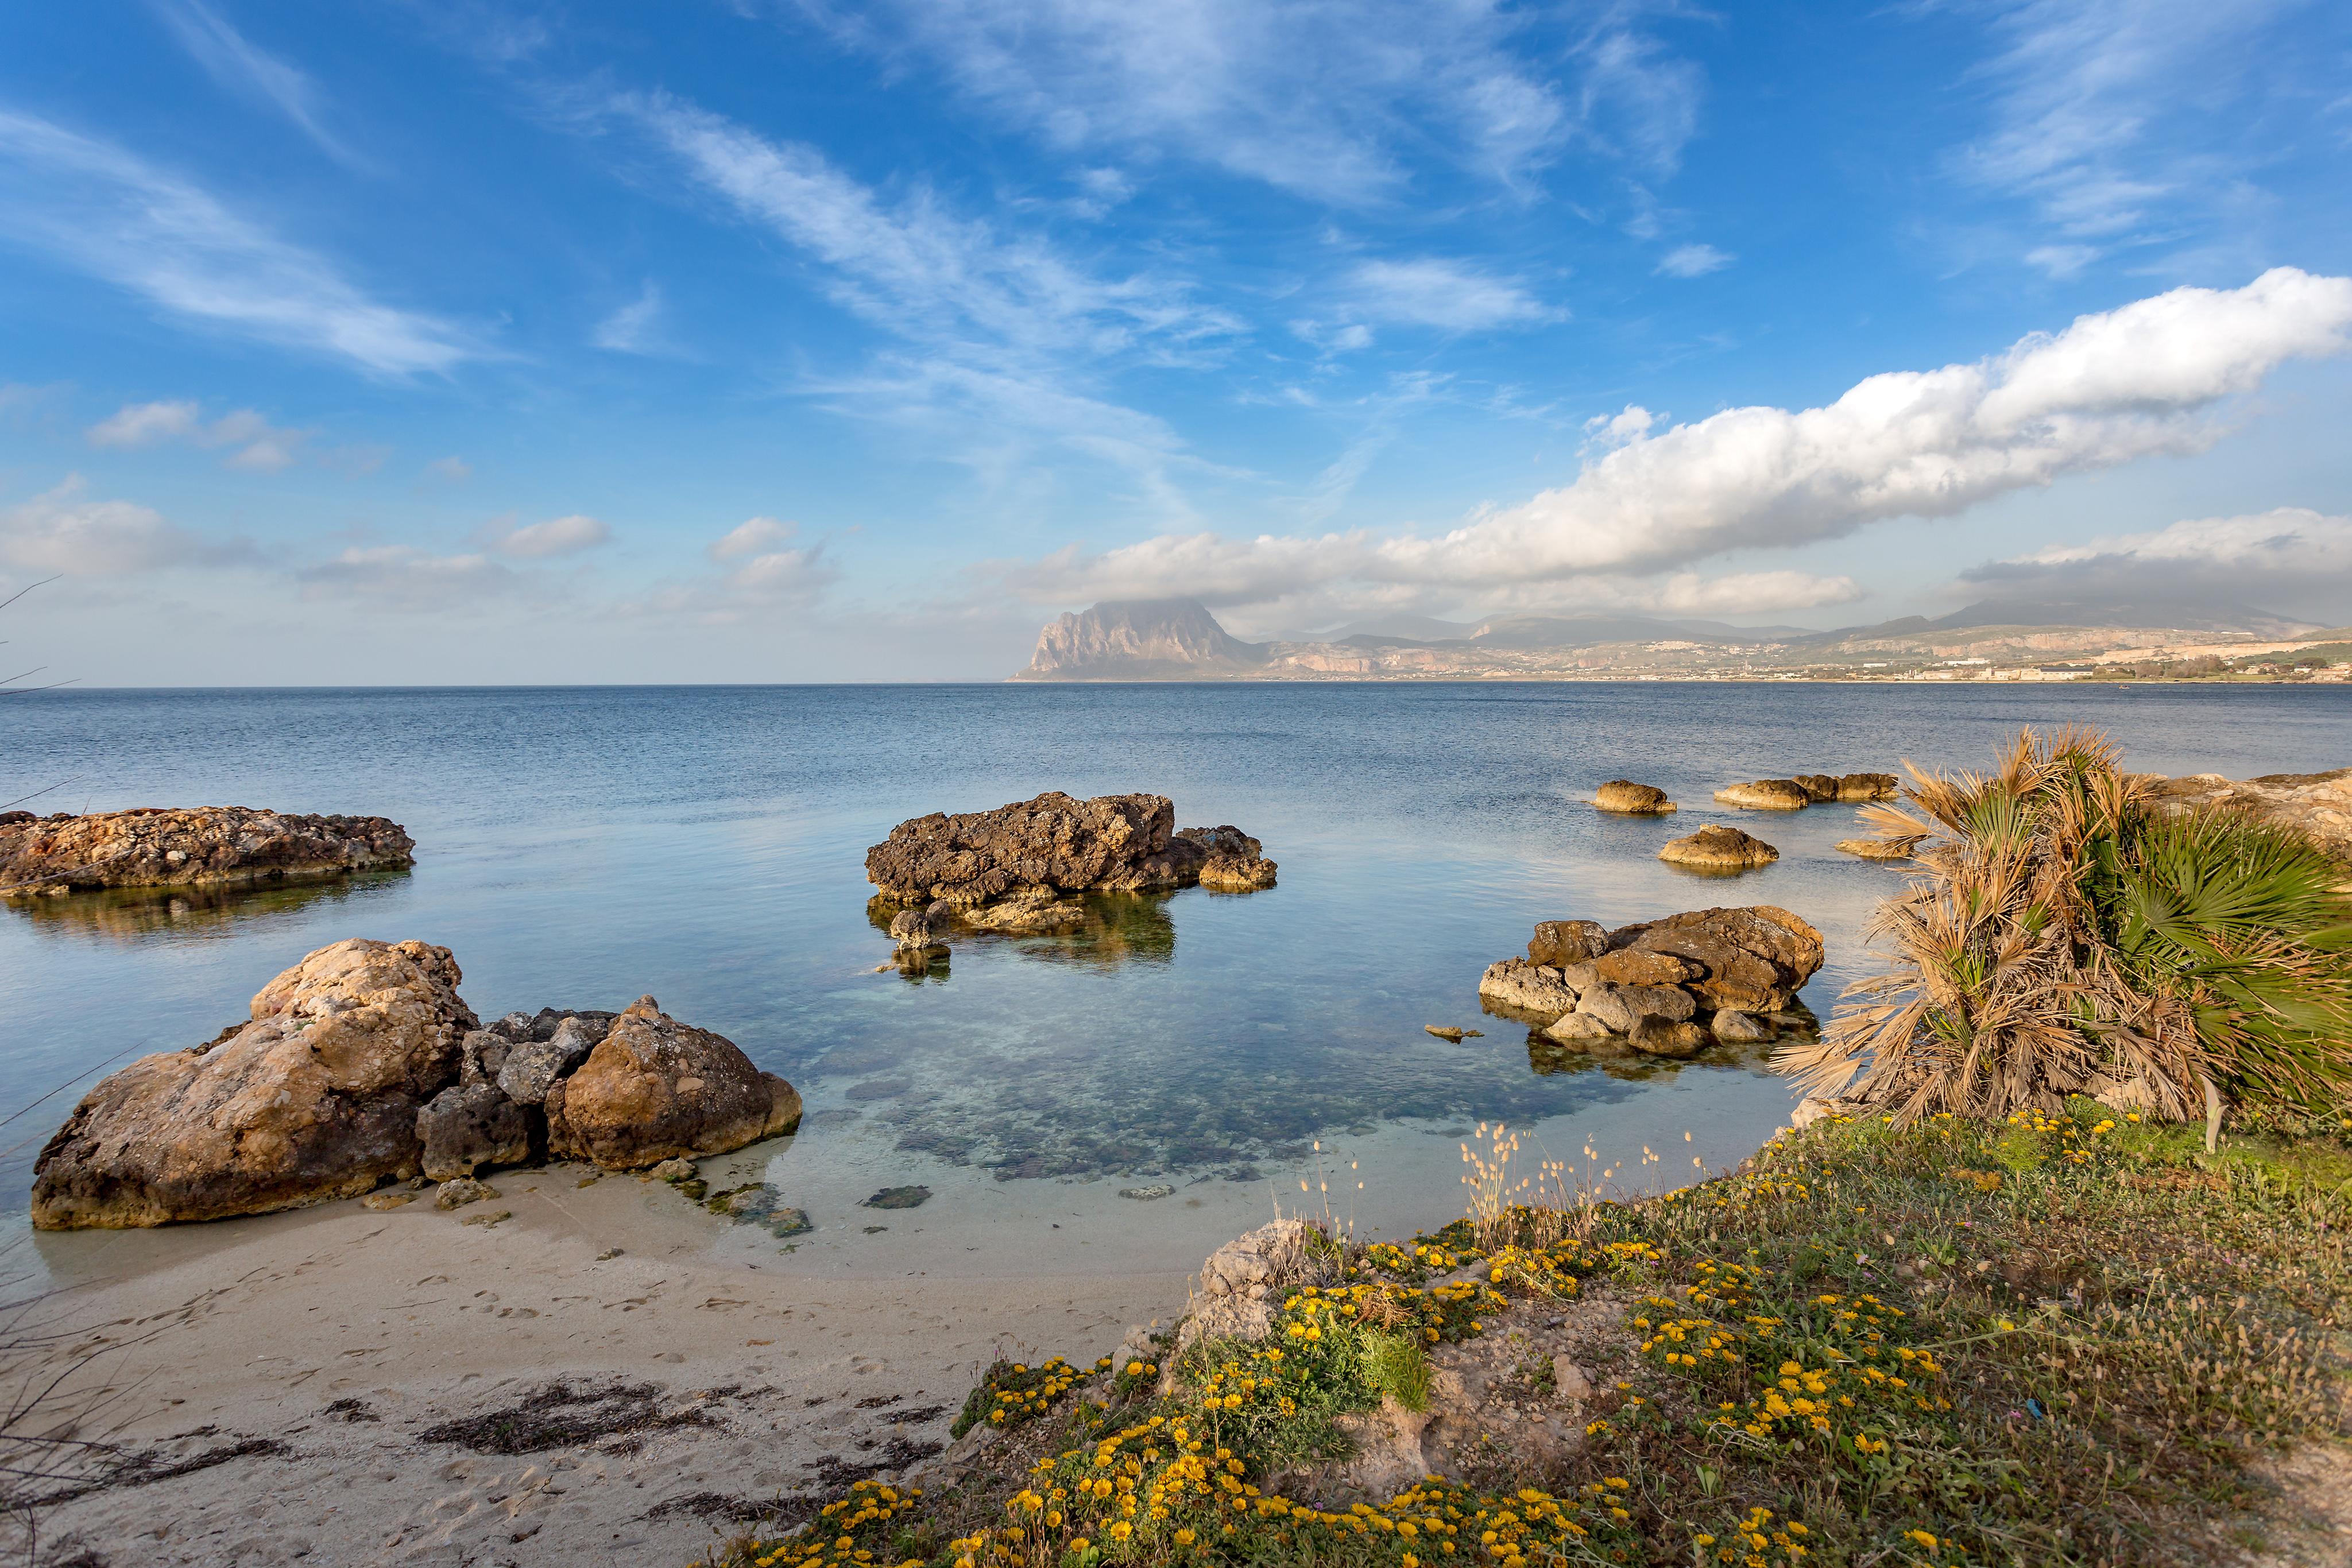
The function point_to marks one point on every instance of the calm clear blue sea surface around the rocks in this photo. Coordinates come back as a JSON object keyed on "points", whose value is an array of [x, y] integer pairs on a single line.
{"points": [[582, 847]]}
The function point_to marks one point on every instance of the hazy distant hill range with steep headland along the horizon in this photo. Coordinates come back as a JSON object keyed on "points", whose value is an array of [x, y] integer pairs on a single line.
{"points": [[1125, 641]]}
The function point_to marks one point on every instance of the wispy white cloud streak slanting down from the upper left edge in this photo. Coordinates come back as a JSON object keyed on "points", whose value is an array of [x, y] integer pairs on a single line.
{"points": [[171, 243]]}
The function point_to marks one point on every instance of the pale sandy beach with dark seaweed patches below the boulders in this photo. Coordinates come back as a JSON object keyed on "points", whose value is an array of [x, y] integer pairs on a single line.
{"points": [[319, 1379]]}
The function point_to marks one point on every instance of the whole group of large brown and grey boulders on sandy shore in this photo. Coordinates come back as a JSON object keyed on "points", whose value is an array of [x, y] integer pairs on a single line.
{"points": [[363, 1066]]}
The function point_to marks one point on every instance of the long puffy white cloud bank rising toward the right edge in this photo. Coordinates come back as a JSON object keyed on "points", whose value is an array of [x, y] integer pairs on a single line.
{"points": [[2116, 387]]}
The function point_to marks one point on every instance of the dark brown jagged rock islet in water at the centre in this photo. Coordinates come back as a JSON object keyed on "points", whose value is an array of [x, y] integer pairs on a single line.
{"points": [[1022, 866]]}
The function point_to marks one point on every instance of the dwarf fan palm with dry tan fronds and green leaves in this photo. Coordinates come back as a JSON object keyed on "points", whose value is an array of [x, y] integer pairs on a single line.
{"points": [[2066, 939]]}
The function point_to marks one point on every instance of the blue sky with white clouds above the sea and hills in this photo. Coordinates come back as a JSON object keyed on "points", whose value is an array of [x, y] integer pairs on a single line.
{"points": [[817, 342]]}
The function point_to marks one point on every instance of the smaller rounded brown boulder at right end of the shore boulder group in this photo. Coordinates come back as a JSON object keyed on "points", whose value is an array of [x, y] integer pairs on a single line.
{"points": [[657, 1090]]}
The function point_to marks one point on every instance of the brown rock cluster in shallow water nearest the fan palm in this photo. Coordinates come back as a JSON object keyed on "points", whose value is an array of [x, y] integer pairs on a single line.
{"points": [[1666, 986]]}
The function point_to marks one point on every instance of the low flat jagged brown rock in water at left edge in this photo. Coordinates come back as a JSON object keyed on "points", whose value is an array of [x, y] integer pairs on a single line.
{"points": [[192, 847]]}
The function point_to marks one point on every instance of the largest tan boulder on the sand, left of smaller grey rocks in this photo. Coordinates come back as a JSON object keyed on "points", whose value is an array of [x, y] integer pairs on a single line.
{"points": [[314, 1099]]}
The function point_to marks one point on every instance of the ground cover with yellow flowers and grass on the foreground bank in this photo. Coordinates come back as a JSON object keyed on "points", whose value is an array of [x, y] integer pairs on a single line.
{"points": [[2059, 1339]]}
